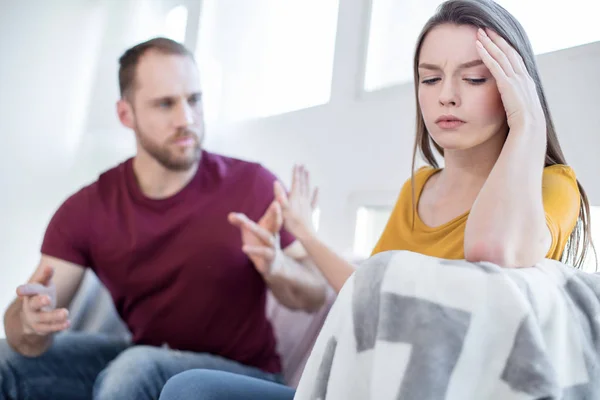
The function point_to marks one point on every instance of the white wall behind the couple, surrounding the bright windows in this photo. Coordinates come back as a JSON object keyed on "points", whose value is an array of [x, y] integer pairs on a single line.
{"points": [[59, 129]]}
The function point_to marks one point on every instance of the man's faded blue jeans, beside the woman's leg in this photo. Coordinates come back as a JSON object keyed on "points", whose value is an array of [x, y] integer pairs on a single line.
{"points": [[85, 366]]}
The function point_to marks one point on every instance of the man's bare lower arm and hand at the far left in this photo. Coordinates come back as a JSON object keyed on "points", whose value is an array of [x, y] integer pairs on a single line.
{"points": [[40, 309]]}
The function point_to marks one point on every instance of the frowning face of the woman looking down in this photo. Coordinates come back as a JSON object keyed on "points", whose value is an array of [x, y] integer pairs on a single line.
{"points": [[458, 96]]}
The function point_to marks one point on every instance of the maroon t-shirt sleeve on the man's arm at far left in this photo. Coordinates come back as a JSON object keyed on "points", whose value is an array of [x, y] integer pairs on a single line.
{"points": [[67, 233]]}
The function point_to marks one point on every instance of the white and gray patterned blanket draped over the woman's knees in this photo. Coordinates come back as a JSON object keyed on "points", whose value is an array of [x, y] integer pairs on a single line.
{"points": [[408, 326]]}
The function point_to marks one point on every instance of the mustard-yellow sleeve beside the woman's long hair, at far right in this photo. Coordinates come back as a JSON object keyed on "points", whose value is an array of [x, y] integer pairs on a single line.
{"points": [[561, 203]]}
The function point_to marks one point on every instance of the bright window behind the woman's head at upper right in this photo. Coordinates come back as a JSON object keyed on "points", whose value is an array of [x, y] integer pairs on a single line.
{"points": [[395, 26]]}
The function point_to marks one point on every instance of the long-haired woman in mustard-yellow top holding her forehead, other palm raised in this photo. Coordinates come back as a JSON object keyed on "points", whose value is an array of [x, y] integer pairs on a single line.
{"points": [[505, 194]]}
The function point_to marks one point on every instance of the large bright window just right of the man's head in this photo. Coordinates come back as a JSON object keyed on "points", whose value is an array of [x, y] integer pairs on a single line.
{"points": [[266, 57]]}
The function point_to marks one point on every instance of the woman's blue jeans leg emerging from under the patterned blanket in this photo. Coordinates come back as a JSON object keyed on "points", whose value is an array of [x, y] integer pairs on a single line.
{"points": [[219, 385]]}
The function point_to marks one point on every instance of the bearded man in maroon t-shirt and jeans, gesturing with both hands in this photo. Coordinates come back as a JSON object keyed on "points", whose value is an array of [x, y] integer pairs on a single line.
{"points": [[188, 276]]}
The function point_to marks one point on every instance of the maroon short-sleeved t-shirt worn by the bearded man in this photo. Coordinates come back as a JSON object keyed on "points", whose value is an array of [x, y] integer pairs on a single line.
{"points": [[174, 266]]}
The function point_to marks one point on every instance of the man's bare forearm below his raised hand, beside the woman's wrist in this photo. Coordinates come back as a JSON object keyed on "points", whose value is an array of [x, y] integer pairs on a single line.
{"points": [[297, 285]]}
